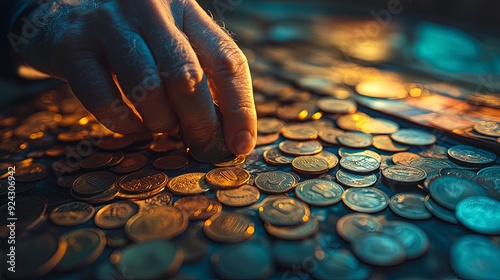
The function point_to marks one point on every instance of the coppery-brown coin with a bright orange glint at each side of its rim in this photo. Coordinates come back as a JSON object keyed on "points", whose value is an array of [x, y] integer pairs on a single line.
{"points": [[229, 227]]}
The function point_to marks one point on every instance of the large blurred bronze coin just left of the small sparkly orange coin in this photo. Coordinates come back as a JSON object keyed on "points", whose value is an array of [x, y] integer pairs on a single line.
{"points": [[164, 222]]}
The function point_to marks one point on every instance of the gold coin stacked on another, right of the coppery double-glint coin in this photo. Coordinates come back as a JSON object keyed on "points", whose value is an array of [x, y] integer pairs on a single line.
{"points": [[284, 211]]}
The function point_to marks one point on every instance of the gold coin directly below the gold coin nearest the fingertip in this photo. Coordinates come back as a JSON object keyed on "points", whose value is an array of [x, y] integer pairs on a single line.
{"points": [[238, 197]]}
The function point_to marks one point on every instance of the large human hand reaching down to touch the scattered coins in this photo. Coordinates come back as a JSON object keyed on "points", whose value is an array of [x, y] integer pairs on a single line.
{"points": [[171, 60]]}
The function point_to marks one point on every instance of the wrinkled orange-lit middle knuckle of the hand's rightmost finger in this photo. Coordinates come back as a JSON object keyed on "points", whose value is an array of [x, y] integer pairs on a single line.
{"points": [[230, 60]]}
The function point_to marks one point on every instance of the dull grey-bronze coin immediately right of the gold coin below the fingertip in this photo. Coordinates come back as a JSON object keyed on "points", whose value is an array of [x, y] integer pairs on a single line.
{"points": [[275, 182]]}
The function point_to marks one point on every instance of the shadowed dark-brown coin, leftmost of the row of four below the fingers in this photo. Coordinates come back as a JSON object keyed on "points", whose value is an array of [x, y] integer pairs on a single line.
{"points": [[94, 183]]}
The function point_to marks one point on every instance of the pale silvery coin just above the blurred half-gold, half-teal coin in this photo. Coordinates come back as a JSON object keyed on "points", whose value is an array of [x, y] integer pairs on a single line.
{"points": [[366, 200]]}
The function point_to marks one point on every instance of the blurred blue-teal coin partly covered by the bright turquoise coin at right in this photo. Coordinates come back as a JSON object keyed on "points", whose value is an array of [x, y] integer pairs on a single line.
{"points": [[450, 190]]}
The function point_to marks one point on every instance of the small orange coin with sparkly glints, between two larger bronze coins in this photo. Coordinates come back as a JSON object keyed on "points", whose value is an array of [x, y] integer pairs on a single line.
{"points": [[199, 207]]}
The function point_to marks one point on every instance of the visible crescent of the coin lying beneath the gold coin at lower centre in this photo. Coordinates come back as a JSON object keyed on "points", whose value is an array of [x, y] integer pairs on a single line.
{"points": [[297, 232]]}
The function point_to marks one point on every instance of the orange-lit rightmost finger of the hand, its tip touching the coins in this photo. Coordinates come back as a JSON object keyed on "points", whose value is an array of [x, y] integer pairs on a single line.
{"points": [[228, 73]]}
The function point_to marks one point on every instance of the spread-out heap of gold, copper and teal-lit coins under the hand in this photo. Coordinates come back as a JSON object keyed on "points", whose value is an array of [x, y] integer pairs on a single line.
{"points": [[148, 202]]}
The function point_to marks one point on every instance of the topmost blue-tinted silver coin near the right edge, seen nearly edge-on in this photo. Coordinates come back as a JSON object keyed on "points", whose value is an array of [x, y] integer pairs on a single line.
{"points": [[470, 156]]}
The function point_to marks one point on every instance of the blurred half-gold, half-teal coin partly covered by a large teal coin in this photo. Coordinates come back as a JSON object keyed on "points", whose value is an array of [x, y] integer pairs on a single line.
{"points": [[351, 225]]}
